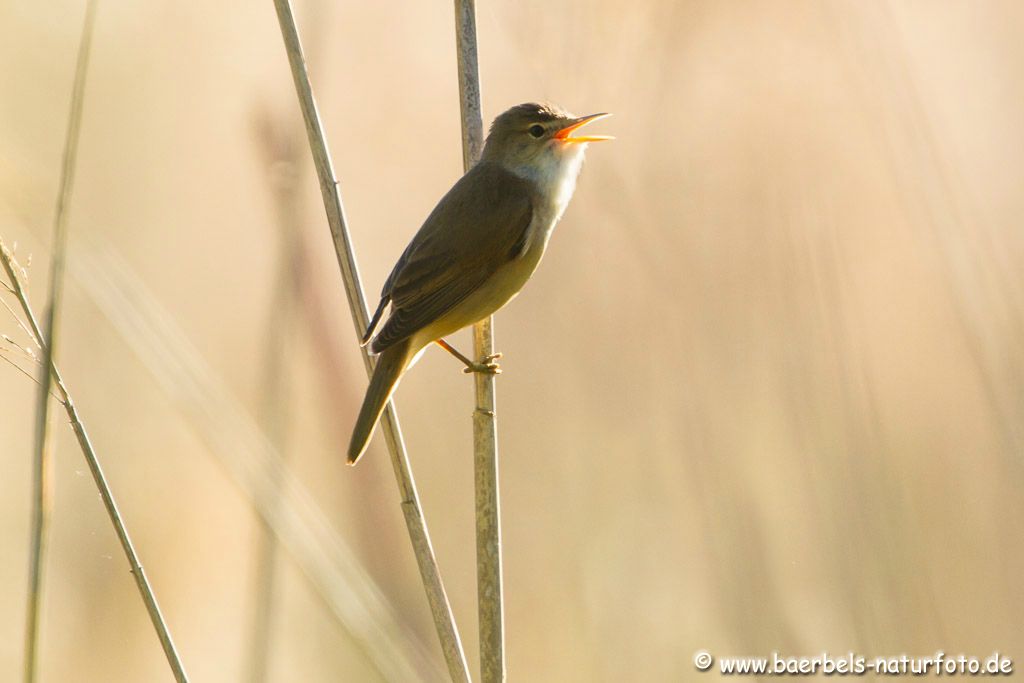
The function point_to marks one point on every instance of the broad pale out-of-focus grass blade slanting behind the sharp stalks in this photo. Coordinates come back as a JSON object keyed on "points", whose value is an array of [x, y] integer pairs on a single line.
{"points": [[254, 465]]}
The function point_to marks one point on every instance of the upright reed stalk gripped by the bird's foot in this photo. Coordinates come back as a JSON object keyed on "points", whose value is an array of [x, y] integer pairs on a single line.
{"points": [[490, 587]]}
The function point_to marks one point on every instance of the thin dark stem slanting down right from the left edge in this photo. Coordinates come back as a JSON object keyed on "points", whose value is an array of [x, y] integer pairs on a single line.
{"points": [[142, 581]]}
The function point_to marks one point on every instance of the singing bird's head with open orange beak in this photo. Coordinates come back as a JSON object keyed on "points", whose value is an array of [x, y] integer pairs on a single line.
{"points": [[540, 142]]}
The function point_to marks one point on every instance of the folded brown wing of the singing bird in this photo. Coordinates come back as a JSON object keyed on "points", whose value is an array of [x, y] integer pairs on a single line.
{"points": [[482, 225]]}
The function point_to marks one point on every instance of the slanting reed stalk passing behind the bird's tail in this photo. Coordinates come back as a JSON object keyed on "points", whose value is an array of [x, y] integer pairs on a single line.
{"points": [[430, 573]]}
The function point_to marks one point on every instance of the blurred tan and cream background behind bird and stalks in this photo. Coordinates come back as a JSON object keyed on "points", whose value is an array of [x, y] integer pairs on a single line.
{"points": [[766, 392]]}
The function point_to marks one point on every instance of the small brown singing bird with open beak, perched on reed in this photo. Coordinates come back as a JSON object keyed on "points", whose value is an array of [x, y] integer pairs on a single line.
{"points": [[477, 249]]}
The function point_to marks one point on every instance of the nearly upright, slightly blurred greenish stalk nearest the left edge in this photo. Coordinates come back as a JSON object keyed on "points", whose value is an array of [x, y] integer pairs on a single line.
{"points": [[44, 445]]}
